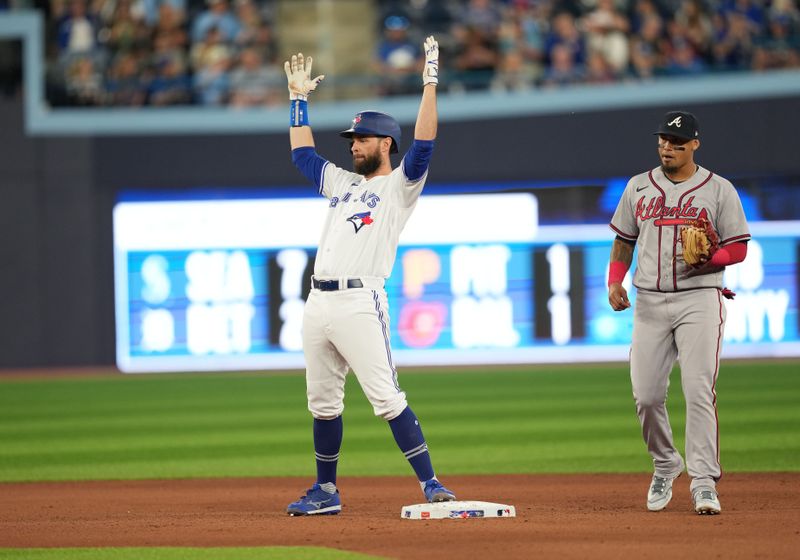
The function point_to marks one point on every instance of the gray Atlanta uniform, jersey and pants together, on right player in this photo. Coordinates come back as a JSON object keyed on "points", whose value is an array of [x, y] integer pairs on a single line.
{"points": [[677, 317]]}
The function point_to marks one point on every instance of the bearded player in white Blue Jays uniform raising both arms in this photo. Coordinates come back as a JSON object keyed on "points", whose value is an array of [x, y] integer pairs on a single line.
{"points": [[346, 318]]}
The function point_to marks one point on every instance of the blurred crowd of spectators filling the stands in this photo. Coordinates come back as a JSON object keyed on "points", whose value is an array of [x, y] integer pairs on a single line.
{"points": [[225, 52]]}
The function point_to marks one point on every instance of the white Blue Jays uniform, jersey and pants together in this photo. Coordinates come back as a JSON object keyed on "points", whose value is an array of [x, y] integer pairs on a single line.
{"points": [[350, 328]]}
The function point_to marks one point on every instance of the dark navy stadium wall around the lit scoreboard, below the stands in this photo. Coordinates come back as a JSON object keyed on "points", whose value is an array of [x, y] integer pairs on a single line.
{"points": [[58, 193]]}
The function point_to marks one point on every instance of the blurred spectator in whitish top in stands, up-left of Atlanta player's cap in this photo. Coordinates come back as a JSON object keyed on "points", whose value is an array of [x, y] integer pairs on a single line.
{"points": [[607, 34]]}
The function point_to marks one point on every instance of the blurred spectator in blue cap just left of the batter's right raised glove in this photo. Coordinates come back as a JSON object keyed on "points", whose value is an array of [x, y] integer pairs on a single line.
{"points": [[398, 60]]}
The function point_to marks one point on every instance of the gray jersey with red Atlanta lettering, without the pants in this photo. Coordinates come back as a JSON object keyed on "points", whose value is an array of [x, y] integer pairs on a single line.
{"points": [[652, 212]]}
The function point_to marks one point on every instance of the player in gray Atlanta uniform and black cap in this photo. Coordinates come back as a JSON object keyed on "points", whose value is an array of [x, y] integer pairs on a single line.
{"points": [[680, 311]]}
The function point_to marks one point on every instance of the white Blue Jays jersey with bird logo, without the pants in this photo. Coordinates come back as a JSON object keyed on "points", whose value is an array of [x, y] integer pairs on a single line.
{"points": [[364, 222]]}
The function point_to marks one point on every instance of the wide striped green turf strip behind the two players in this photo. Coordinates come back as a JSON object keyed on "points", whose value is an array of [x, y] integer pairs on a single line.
{"points": [[499, 420]]}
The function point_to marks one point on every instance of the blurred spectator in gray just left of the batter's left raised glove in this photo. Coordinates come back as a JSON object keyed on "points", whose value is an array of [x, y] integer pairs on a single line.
{"points": [[254, 83]]}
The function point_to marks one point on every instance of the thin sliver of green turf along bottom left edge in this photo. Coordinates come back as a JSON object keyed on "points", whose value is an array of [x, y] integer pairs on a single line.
{"points": [[163, 553]]}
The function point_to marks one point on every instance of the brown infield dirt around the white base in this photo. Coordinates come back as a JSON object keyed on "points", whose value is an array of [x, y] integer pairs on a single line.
{"points": [[563, 516]]}
